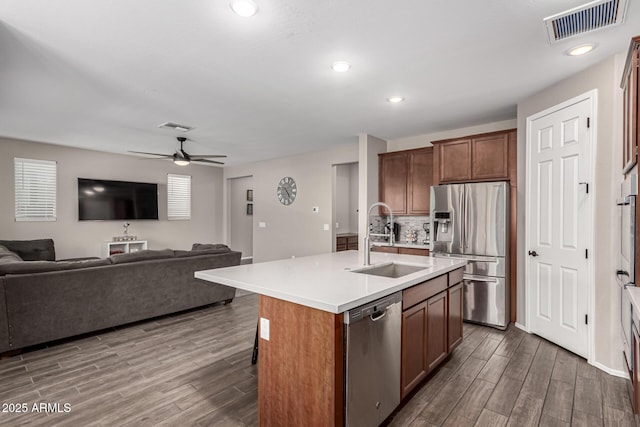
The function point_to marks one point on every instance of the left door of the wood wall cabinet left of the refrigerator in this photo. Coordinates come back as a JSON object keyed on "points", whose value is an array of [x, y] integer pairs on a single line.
{"points": [[392, 174]]}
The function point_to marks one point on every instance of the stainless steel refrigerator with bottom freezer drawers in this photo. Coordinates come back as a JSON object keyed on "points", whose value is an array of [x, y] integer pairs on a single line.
{"points": [[471, 221]]}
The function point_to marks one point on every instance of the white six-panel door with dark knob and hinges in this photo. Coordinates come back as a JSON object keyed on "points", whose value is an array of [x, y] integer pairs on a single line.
{"points": [[559, 224]]}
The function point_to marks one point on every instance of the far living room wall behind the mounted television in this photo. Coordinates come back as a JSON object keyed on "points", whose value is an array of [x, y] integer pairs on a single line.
{"points": [[75, 238]]}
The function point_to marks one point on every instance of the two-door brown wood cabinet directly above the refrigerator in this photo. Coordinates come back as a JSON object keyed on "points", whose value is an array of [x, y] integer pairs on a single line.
{"points": [[475, 158]]}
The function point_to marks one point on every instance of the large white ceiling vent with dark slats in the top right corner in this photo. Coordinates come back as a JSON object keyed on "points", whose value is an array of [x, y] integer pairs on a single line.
{"points": [[592, 16]]}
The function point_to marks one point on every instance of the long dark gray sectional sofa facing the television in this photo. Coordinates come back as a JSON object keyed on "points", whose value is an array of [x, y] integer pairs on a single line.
{"points": [[42, 300]]}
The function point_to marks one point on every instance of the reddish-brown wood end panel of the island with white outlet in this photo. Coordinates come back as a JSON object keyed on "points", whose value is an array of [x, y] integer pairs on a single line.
{"points": [[300, 371]]}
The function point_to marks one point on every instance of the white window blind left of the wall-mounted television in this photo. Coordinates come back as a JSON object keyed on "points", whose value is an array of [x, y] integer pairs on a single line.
{"points": [[35, 193]]}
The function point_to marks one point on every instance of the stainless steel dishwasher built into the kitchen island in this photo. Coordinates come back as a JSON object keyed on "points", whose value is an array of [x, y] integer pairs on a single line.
{"points": [[372, 361]]}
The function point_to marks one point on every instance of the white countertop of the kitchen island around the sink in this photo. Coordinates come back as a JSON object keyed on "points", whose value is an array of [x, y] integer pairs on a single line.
{"points": [[325, 281]]}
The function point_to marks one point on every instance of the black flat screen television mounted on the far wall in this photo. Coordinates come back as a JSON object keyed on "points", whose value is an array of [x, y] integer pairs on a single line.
{"points": [[103, 200]]}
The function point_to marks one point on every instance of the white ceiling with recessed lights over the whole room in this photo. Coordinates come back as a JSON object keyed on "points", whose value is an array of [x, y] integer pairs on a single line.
{"points": [[103, 74]]}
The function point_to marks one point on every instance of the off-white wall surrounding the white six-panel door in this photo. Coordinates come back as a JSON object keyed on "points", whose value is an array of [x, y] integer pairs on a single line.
{"points": [[605, 77]]}
